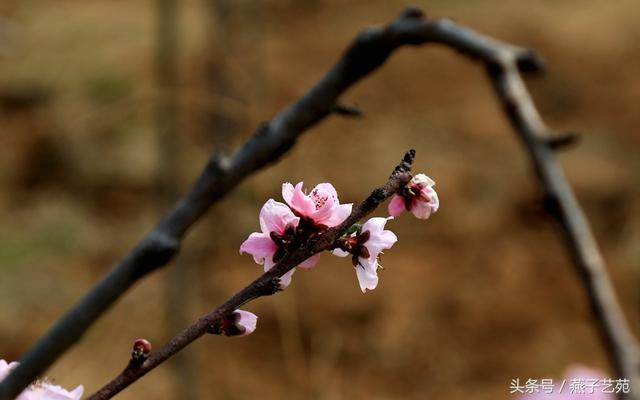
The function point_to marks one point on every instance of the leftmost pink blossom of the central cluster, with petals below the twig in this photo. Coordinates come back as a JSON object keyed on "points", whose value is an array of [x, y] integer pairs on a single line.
{"points": [[277, 230]]}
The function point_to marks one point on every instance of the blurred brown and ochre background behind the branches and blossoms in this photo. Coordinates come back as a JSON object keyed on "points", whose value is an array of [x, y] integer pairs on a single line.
{"points": [[109, 110]]}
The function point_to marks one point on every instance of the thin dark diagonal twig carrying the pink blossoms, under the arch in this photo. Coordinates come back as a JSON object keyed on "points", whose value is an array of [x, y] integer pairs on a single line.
{"points": [[267, 284]]}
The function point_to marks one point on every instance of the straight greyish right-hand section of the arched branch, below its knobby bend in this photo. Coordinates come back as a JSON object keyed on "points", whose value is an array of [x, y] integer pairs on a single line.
{"points": [[619, 341]]}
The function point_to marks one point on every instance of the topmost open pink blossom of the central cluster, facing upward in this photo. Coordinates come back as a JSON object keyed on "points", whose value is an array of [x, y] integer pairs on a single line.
{"points": [[321, 205]]}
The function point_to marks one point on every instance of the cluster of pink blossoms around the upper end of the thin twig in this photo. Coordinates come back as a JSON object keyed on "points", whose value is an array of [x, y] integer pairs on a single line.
{"points": [[284, 227]]}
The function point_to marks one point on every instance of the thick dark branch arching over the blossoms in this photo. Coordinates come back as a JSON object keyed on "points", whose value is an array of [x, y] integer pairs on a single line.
{"points": [[370, 49]]}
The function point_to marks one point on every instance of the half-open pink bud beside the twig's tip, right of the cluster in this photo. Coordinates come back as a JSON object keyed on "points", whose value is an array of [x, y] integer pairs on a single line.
{"points": [[418, 196]]}
